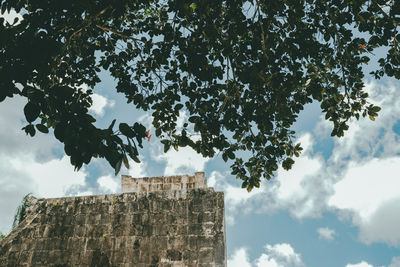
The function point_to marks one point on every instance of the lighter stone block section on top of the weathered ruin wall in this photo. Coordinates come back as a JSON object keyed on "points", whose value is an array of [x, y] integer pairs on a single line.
{"points": [[163, 183]]}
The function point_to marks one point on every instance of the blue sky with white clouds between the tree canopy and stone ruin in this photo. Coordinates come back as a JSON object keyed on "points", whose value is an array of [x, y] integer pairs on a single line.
{"points": [[338, 206]]}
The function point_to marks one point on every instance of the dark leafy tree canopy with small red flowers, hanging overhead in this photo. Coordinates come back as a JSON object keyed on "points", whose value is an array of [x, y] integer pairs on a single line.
{"points": [[242, 70]]}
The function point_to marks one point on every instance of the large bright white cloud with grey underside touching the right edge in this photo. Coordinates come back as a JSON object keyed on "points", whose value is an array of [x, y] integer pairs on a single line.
{"points": [[369, 194]]}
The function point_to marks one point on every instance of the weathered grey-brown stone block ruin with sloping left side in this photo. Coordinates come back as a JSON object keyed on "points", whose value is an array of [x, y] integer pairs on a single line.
{"points": [[158, 221]]}
